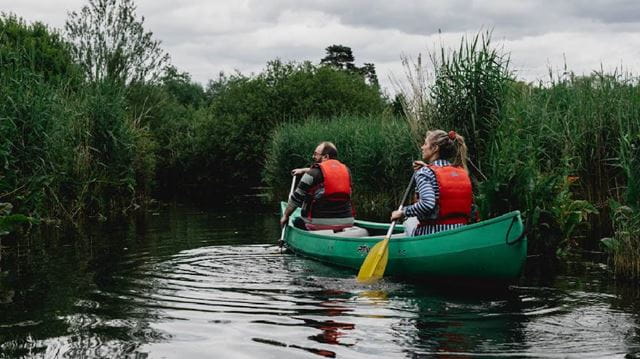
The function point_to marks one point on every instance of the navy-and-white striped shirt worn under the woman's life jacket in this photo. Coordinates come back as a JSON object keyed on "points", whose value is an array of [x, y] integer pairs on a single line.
{"points": [[428, 193]]}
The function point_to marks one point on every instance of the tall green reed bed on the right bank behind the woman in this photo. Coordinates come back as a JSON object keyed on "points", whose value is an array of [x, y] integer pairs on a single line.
{"points": [[552, 150]]}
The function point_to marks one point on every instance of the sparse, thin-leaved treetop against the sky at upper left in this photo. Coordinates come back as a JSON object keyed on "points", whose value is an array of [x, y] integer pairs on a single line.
{"points": [[110, 42]]}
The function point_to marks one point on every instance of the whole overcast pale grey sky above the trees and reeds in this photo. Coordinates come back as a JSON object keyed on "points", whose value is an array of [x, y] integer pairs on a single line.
{"points": [[204, 37]]}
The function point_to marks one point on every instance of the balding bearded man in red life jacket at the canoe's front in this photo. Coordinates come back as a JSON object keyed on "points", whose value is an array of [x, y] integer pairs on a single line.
{"points": [[324, 193]]}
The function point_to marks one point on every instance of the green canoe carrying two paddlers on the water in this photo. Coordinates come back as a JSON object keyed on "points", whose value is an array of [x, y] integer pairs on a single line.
{"points": [[493, 250]]}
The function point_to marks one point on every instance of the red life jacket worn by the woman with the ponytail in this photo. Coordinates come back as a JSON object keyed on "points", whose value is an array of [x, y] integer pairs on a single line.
{"points": [[456, 195]]}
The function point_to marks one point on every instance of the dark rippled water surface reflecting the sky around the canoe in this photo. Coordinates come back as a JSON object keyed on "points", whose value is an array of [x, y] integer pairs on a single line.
{"points": [[188, 283]]}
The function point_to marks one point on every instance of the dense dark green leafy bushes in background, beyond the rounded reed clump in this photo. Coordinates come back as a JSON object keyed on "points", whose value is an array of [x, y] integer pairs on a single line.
{"points": [[229, 137]]}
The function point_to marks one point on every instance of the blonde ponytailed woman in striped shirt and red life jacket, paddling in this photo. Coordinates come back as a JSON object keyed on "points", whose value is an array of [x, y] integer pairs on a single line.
{"points": [[443, 185]]}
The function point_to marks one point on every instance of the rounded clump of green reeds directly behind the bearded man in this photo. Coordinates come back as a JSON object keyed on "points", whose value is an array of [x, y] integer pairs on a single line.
{"points": [[378, 150]]}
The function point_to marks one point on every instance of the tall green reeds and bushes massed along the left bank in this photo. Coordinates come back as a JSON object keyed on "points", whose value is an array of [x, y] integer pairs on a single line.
{"points": [[68, 148]]}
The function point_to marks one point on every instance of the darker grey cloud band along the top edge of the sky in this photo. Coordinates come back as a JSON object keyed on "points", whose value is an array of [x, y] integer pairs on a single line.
{"points": [[517, 18]]}
